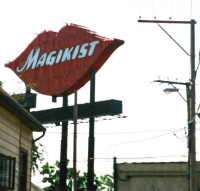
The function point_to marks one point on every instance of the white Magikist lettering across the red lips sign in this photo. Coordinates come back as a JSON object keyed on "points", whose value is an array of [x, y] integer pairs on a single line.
{"points": [[70, 53]]}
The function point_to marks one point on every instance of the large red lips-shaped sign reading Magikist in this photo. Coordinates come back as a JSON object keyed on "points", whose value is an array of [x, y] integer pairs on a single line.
{"points": [[58, 63]]}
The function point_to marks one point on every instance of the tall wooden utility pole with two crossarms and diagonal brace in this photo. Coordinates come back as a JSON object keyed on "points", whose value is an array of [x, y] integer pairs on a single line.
{"points": [[190, 87]]}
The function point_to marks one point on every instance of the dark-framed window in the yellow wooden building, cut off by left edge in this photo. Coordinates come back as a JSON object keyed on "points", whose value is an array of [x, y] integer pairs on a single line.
{"points": [[7, 172]]}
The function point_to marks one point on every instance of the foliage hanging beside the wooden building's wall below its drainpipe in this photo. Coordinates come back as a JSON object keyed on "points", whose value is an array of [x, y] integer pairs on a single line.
{"points": [[37, 156]]}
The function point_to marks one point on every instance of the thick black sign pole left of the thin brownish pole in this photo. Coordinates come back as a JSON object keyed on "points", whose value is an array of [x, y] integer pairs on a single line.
{"points": [[63, 150]]}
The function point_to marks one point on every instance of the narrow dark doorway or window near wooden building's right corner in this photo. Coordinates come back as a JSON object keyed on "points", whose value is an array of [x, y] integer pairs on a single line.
{"points": [[23, 169]]}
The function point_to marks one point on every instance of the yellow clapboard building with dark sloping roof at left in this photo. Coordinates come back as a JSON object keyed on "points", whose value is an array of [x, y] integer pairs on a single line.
{"points": [[16, 128]]}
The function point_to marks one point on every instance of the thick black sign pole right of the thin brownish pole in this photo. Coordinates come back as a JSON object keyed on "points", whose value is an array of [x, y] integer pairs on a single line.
{"points": [[91, 141]]}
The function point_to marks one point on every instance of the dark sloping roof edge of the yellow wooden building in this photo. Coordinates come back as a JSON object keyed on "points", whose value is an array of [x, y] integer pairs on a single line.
{"points": [[11, 105]]}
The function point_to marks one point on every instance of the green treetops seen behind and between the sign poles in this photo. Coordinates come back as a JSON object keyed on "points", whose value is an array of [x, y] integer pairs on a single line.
{"points": [[51, 176]]}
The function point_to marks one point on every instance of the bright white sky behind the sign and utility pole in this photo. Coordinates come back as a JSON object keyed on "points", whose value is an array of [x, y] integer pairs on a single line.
{"points": [[156, 123]]}
